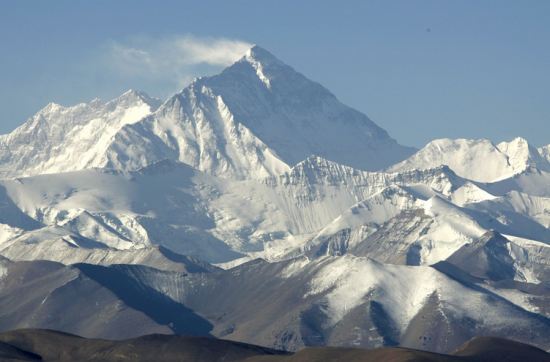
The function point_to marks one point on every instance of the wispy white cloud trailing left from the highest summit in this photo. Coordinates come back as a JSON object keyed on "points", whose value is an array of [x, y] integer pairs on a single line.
{"points": [[173, 59]]}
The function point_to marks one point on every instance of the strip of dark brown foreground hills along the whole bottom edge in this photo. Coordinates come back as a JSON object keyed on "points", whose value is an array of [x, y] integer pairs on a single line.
{"points": [[51, 346]]}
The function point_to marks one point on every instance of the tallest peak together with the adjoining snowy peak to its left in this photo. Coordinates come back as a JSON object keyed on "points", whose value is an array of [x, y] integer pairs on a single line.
{"points": [[257, 118]]}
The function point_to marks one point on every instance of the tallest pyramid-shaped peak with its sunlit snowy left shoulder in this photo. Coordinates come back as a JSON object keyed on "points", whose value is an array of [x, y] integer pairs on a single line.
{"points": [[257, 118]]}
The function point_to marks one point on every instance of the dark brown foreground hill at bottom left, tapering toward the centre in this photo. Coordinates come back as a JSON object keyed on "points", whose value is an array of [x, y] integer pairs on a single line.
{"points": [[49, 345]]}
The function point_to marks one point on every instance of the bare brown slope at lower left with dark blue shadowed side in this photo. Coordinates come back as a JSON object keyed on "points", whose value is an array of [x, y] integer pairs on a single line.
{"points": [[88, 300]]}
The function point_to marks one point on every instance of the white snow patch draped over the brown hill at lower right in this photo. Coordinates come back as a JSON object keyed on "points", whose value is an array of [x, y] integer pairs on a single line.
{"points": [[403, 291]]}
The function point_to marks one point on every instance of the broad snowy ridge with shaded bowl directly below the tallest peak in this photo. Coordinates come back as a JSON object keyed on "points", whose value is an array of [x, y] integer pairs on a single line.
{"points": [[168, 198]]}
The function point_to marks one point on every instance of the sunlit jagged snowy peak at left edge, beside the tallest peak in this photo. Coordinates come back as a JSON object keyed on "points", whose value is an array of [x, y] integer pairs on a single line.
{"points": [[59, 139]]}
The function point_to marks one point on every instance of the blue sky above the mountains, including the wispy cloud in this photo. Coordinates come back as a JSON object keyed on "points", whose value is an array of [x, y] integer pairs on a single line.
{"points": [[422, 70]]}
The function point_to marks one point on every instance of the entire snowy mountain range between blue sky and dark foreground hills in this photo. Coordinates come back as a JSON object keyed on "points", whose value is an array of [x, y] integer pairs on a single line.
{"points": [[254, 206]]}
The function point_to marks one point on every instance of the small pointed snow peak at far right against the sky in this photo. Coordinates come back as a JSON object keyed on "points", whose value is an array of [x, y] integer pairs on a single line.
{"points": [[521, 155]]}
